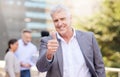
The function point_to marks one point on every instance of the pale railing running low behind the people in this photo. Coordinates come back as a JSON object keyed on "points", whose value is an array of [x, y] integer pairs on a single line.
{"points": [[35, 73]]}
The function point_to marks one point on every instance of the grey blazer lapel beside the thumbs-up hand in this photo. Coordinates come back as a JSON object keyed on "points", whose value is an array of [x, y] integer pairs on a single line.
{"points": [[60, 58]]}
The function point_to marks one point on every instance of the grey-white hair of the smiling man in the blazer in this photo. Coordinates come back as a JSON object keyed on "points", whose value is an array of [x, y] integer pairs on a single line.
{"points": [[59, 8]]}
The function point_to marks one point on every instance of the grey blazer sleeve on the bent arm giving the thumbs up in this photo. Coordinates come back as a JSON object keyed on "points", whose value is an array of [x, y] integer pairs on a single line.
{"points": [[43, 64]]}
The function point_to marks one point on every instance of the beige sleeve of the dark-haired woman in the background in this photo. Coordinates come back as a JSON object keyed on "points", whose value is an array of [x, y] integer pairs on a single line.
{"points": [[10, 65]]}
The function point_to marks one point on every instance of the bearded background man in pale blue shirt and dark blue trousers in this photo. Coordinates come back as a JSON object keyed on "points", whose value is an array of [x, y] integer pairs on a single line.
{"points": [[25, 52]]}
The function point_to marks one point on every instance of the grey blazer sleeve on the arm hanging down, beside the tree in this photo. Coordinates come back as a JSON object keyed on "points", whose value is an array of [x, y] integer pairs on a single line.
{"points": [[98, 62]]}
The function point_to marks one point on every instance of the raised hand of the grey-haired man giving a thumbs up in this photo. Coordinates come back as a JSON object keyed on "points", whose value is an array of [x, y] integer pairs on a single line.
{"points": [[52, 46]]}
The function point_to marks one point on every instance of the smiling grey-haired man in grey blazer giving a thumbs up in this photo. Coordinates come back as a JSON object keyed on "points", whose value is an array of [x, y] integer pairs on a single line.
{"points": [[69, 52]]}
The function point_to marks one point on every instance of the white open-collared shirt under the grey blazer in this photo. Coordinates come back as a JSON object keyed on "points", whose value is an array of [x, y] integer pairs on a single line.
{"points": [[73, 61]]}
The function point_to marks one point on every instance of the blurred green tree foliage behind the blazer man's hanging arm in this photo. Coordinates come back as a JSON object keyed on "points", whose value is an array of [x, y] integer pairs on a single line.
{"points": [[106, 26]]}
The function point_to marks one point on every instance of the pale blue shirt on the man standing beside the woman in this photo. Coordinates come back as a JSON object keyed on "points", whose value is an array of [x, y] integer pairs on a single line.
{"points": [[25, 53]]}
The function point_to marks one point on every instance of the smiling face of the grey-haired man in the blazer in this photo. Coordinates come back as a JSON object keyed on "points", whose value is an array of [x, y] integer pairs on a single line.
{"points": [[62, 22]]}
